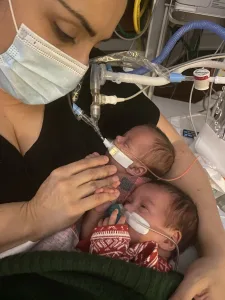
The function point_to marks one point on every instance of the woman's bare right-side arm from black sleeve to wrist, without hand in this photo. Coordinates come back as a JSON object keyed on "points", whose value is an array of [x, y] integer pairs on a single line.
{"points": [[196, 184]]}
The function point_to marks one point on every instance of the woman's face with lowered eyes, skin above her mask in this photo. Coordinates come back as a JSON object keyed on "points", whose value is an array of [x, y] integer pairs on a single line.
{"points": [[73, 26]]}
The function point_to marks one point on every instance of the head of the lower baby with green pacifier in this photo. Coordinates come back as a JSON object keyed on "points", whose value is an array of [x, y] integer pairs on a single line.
{"points": [[168, 210]]}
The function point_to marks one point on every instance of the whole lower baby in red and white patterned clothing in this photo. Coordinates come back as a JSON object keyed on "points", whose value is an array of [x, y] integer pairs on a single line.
{"points": [[167, 209]]}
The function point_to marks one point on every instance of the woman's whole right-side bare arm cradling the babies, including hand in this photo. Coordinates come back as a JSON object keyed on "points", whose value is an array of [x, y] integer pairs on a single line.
{"points": [[204, 273]]}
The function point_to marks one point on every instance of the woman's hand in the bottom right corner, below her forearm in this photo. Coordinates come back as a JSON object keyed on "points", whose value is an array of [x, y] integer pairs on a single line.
{"points": [[205, 280]]}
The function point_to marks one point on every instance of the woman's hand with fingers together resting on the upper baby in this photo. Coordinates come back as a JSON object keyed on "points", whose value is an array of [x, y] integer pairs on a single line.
{"points": [[69, 192]]}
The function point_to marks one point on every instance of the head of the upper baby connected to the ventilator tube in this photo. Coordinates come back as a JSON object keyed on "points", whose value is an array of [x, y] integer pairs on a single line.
{"points": [[146, 144]]}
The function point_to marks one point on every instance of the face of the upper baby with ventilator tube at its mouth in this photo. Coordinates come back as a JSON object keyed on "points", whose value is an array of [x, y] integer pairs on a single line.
{"points": [[135, 143]]}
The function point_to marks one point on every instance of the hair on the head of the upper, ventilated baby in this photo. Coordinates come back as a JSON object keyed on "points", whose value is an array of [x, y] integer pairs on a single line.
{"points": [[161, 156]]}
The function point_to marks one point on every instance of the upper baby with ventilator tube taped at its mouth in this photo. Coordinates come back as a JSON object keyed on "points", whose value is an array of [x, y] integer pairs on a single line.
{"points": [[150, 149]]}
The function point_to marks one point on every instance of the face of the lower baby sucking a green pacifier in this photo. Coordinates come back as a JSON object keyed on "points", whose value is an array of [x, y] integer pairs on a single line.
{"points": [[152, 204]]}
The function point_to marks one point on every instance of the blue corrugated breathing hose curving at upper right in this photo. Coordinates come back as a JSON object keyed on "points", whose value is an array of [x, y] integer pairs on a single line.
{"points": [[203, 25]]}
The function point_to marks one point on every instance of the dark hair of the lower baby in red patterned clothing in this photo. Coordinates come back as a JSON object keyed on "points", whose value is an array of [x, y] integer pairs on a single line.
{"points": [[182, 215]]}
